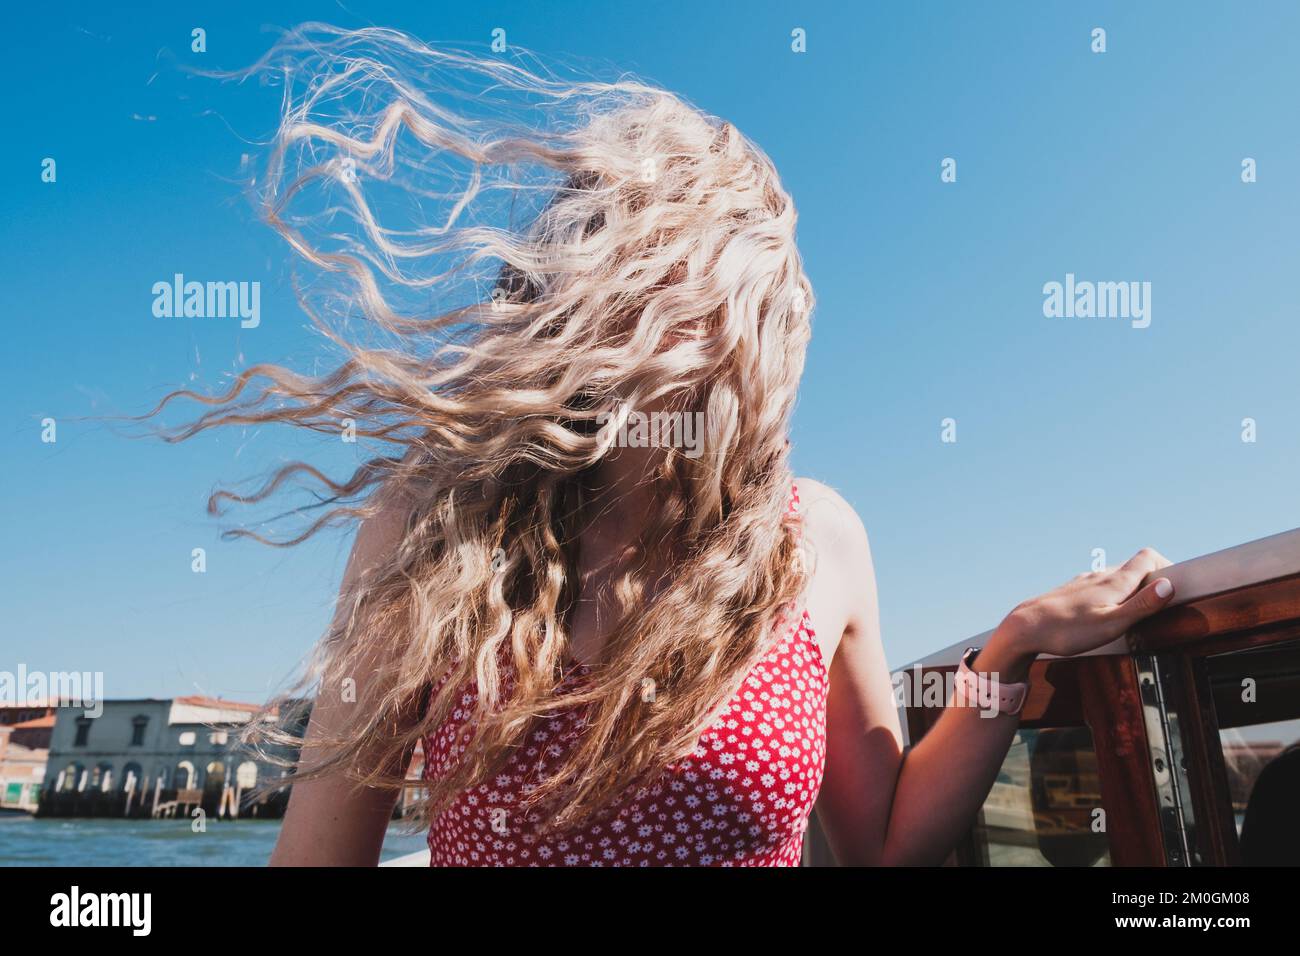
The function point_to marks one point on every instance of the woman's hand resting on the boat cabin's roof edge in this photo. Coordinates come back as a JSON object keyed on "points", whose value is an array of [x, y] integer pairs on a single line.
{"points": [[1091, 611]]}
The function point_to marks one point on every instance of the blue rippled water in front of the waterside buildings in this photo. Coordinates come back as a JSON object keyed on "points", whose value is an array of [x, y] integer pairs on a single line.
{"points": [[29, 842]]}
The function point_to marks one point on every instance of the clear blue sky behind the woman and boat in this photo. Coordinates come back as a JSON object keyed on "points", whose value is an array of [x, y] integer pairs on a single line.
{"points": [[1072, 434]]}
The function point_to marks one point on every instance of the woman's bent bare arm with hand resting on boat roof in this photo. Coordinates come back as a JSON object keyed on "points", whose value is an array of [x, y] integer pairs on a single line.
{"points": [[877, 807]]}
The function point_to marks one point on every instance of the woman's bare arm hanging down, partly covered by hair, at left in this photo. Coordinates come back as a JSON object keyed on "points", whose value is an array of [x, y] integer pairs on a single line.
{"points": [[331, 821]]}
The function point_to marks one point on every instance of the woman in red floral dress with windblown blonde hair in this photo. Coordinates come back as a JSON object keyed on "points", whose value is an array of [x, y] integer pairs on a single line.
{"points": [[586, 582]]}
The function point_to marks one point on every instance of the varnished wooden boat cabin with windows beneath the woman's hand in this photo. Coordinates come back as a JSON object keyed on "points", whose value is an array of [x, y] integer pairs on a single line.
{"points": [[1175, 746]]}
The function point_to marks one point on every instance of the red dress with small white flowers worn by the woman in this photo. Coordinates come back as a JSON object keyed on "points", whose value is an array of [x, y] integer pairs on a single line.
{"points": [[742, 799]]}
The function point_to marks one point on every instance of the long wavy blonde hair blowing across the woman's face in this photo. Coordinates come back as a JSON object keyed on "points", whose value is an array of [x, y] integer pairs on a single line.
{"points": [[619, 250]]}
